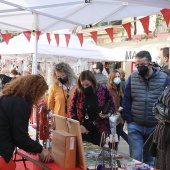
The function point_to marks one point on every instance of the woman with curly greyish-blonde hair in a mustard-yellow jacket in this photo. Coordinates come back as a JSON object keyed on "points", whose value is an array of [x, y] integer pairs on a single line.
{"points": [[62, 89]]}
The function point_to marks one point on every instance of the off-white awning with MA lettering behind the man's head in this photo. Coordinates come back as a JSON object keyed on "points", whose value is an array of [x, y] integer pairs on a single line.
{"points": [[126, 50]]}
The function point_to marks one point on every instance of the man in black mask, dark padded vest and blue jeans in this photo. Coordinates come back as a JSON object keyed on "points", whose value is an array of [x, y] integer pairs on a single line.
{"points": [[142, 90]]}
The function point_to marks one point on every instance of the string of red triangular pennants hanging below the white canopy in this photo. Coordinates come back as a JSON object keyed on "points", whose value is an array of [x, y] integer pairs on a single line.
{"points": [[110, 31]]}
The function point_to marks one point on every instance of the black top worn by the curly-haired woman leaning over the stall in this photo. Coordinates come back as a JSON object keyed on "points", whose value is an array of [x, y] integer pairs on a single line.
{"points": [[14, 119]]}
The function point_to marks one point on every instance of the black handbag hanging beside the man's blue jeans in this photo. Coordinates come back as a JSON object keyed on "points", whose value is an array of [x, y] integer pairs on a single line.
{"points": [[150, 146]]}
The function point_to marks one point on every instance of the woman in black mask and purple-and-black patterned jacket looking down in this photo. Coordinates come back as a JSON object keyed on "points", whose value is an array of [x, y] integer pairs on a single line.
{"points": [[86, 107]]}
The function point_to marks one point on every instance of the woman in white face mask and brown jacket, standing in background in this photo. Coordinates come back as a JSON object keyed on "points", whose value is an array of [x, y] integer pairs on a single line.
{"points": [[116, 90]]}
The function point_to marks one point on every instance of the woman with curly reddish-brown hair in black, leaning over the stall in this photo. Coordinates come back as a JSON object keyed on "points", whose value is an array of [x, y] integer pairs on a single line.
{"points": [[16, 103]]}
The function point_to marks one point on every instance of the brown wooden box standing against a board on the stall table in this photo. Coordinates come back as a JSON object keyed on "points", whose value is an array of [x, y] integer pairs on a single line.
{"points": [[64, 148]]}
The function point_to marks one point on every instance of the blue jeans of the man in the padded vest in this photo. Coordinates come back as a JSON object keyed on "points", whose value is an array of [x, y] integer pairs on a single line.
{"points": [[137, 135]]}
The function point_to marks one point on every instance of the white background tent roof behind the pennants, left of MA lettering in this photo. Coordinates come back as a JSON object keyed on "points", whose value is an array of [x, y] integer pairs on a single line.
{"points": [[19, 47]]}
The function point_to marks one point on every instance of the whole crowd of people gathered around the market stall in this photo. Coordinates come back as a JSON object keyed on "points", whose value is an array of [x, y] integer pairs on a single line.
{"points": [[84, 98]]}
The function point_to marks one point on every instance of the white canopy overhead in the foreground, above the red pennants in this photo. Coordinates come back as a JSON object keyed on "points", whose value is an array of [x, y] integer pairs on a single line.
{"points": [[54, 15]]}
